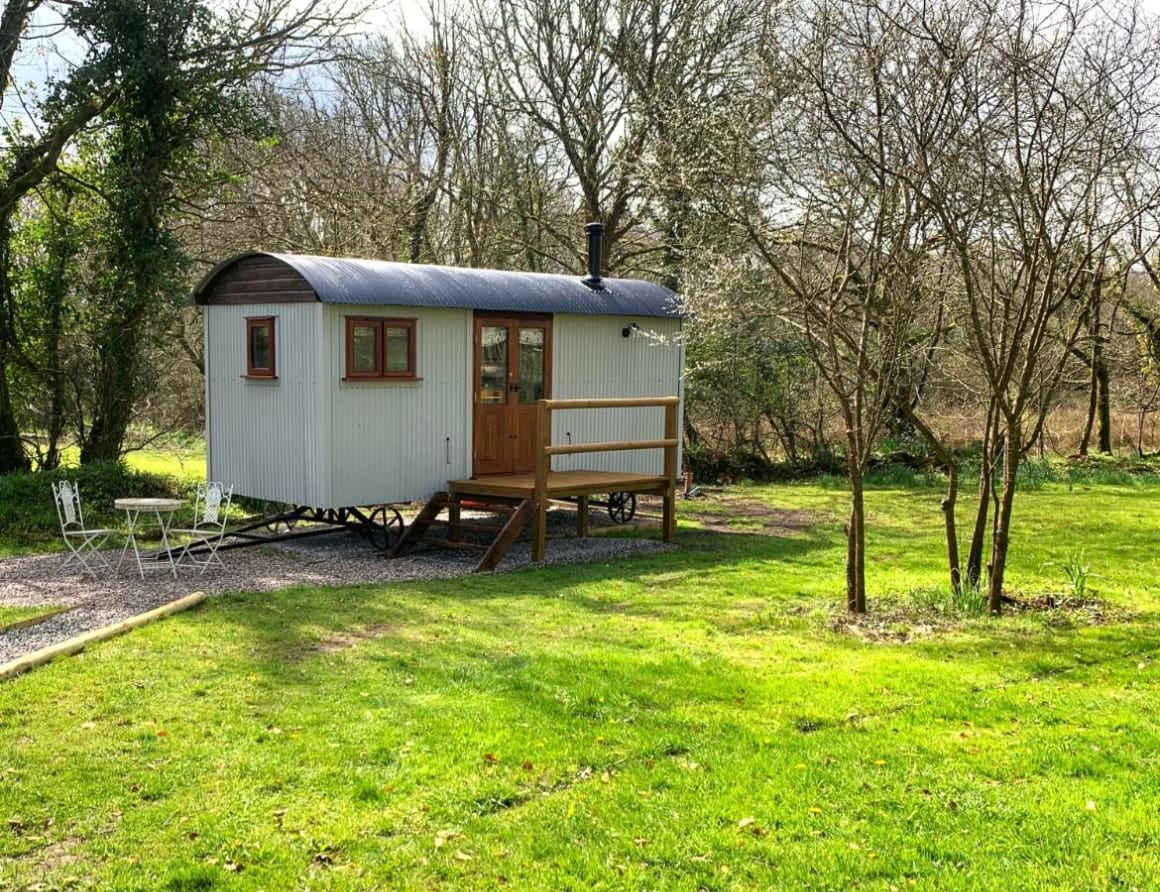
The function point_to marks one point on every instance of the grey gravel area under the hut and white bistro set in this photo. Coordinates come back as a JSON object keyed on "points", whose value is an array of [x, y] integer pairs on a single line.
{"points": [[323, 561]]}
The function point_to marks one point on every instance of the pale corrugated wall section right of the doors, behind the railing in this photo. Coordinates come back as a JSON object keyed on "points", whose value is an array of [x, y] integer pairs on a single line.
{"points": [[592, 359]]}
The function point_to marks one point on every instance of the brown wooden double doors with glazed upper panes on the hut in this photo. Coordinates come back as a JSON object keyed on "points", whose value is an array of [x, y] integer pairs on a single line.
{"points": [[513, 372]]}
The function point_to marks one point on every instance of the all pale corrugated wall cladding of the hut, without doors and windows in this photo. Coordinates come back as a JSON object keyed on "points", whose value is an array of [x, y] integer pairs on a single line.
{"points": [[313, 439]]}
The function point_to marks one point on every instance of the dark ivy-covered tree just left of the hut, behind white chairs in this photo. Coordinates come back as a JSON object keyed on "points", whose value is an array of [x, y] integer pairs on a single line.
{"points": [[183, 74]]}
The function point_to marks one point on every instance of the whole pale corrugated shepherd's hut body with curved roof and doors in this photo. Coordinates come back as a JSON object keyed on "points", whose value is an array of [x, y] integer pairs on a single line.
{"points": [[336, 383]]}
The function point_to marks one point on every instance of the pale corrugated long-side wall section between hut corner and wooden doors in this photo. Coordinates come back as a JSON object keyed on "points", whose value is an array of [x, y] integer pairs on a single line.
{"points": [[398, 441]]}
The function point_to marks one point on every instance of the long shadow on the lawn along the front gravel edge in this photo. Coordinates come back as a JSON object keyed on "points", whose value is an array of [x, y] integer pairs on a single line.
{"points": [[287, 628]]}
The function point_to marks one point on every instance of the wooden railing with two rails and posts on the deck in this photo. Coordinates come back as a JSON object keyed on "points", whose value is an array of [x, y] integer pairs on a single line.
{"points": [[670, 443]]}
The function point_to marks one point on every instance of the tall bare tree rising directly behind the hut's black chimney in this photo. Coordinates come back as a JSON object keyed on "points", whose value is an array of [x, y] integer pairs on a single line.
{"points": [[598, 83]]}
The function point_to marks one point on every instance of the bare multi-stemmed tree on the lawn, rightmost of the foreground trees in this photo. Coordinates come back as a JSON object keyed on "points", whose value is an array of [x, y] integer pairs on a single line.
{"points": [[1061, 100]]}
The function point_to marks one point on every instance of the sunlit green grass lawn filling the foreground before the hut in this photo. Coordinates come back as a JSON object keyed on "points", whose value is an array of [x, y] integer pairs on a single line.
{"points": [[699, 720]]}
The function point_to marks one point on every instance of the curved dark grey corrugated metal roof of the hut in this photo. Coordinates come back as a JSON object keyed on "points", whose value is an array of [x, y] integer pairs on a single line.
{"points": [[379, 282]]}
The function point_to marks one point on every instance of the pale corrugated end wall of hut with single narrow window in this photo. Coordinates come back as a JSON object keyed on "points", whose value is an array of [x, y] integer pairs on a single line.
{"points": [[264, 437]]}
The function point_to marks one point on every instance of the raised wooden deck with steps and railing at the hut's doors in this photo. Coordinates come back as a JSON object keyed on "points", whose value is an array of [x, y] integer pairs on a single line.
{"points": [[526, 497]]}
